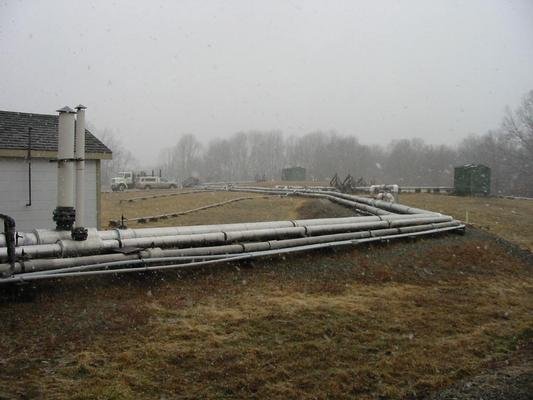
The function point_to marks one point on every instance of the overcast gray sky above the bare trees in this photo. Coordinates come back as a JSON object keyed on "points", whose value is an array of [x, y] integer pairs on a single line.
{"points": [[382, 70]]}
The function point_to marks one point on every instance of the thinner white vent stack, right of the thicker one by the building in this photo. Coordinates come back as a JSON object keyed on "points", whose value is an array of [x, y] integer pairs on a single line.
{"points": [[80, 166]]}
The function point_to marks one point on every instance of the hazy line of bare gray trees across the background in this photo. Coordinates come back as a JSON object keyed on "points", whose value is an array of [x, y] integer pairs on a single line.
{"points": [[507, 150]]}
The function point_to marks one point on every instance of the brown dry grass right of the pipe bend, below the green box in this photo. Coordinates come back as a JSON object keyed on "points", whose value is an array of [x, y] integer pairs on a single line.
{"points": [[510, 219]]}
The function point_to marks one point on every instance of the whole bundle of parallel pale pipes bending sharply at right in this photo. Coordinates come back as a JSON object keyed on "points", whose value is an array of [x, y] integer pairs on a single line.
{"points": [[45, 253]]}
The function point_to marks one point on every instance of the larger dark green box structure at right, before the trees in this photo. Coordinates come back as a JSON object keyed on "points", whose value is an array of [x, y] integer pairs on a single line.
{"points": [[472, 180]]}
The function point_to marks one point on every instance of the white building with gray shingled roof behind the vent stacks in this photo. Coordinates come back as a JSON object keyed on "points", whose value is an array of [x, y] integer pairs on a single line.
{"points": [[16, 186]]}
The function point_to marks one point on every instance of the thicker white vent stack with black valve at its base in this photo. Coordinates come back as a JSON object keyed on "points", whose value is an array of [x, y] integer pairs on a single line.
{"points": [[64, 214]]}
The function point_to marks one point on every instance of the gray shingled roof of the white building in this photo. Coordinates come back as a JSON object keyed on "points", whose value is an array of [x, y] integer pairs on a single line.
{"points": [[14, 133]]}
